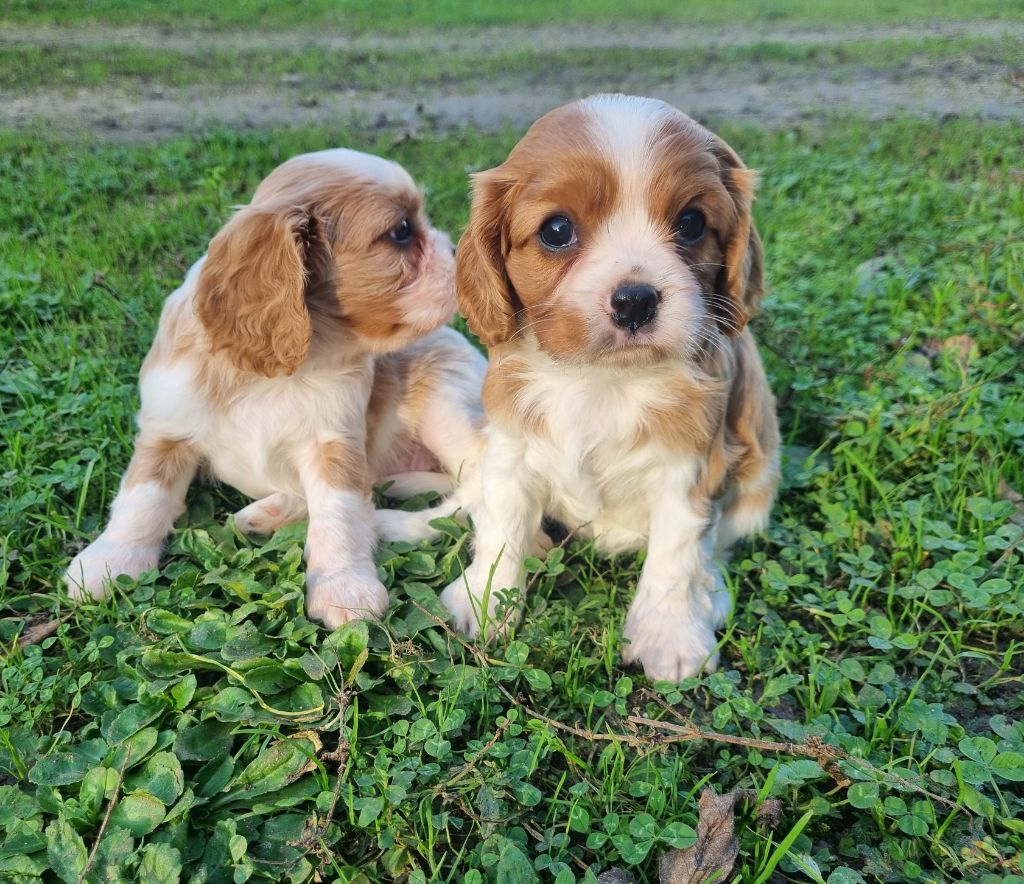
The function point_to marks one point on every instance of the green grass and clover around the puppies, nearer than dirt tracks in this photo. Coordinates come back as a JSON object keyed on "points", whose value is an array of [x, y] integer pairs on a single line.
{"points": [[198, 726]]}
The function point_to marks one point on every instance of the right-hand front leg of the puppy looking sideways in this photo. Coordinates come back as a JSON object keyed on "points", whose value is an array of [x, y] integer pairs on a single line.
{"points": [[342, 577]]}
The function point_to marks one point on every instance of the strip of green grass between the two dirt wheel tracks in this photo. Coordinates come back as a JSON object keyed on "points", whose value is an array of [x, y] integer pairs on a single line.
{"points": [[423, 71]]}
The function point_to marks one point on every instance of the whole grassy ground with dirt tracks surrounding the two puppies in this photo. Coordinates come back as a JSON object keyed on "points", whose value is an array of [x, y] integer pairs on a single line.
{"points": [[197, 728]]}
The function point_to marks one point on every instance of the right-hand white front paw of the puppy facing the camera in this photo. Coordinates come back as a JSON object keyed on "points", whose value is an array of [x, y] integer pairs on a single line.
{"points": [[674, 638]]}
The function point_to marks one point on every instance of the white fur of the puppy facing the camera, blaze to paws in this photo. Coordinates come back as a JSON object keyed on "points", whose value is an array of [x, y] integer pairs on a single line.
{"points": [[591, 465]]}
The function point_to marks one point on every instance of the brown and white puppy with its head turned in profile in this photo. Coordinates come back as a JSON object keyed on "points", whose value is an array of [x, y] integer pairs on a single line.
{"points": [[303, 360]]}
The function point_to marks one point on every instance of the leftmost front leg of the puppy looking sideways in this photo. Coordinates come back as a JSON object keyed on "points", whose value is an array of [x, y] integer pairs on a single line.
{"points": [[152, 497]]}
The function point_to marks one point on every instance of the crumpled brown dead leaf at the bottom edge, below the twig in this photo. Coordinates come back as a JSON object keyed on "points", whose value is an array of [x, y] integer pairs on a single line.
{"points": [[712, 858]]}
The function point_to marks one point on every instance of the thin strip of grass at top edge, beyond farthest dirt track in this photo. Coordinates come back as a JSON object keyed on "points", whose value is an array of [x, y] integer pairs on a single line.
{"points": [[404, 15]]}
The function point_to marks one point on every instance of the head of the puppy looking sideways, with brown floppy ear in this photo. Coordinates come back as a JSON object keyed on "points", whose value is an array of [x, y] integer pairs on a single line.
{"points": [[332, 240]]}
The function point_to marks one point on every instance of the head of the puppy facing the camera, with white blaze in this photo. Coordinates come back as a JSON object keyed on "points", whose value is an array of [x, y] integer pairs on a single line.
{"points": [[619, 229]]}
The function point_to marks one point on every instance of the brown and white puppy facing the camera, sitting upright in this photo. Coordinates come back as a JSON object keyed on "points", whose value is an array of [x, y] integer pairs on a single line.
{"points": [[611, 265]]}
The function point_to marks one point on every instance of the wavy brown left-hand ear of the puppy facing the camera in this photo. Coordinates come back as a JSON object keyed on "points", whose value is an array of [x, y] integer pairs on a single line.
{"points": [[486, 296]]}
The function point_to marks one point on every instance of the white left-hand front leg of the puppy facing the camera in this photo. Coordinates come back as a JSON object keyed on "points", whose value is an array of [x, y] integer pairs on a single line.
{"points": [[507, 522]]}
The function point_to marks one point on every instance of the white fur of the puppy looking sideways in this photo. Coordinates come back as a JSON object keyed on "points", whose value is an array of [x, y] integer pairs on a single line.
{"points": [[269, 437]]}
